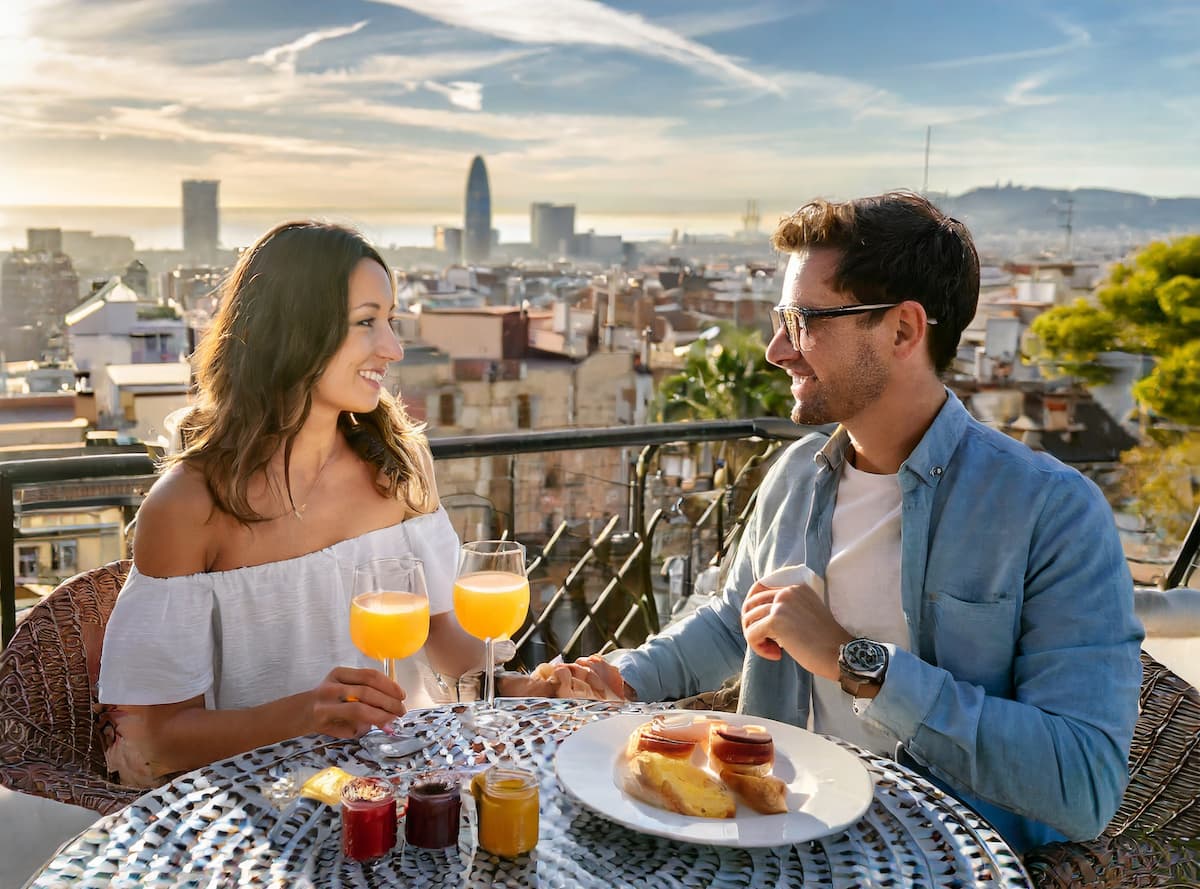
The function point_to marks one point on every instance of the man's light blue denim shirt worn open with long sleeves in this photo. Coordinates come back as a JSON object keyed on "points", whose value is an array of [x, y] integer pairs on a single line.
{"points": [[1019, 689]]}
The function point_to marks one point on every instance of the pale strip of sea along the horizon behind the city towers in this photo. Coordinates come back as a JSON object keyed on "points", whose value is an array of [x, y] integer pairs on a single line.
{"points": [[161, 227]]}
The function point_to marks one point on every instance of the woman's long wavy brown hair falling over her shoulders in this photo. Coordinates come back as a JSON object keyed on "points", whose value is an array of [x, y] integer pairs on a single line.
{"points": [[284, 314]]}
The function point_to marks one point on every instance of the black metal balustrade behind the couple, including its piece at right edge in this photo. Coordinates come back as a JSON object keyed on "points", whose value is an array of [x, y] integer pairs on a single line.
{"points": [[608, 598]]}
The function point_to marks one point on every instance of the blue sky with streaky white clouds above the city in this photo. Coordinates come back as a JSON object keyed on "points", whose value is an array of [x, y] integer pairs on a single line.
{"points": [[653, 107]]}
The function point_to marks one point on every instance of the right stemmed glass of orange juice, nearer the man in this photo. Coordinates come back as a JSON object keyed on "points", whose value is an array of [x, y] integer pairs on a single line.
{"points": [[491, 598]]}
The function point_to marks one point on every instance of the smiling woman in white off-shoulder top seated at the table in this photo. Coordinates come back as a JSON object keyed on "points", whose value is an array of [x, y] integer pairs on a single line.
{"points": [[232, 630]]}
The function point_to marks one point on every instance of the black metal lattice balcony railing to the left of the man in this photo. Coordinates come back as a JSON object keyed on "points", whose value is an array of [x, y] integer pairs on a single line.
{"points": [[595, 596]]}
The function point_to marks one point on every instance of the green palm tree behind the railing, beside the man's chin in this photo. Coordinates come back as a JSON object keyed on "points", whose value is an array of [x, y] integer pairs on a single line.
{"points": [[725, 380]]}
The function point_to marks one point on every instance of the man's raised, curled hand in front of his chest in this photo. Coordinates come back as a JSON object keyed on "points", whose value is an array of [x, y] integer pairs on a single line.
{"points": [[794, 620]]}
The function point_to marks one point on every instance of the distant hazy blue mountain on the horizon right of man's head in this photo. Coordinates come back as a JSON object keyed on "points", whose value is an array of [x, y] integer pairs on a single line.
{"points": [[1013, 208]]}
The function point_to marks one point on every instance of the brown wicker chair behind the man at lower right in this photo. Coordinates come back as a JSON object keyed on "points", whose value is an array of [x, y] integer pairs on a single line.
{"points": [[1154, 840]]}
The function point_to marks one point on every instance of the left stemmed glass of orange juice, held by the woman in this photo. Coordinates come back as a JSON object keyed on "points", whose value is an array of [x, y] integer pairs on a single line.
{"points": [[389, 622]]}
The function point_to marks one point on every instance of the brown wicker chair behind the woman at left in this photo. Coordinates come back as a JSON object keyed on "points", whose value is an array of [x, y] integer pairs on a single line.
{"points": [[53, 734]]}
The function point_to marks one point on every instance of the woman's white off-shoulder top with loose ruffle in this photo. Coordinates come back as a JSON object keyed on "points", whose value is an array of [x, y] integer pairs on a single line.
{"points": [[251, 635]]}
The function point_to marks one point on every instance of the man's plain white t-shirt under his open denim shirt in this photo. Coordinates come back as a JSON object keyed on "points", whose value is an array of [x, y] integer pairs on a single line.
{"points": [[863, 592]]}
